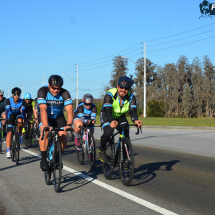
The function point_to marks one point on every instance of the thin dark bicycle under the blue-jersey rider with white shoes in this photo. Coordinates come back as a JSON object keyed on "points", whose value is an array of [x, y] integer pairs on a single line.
{"points": [[15, 145]]}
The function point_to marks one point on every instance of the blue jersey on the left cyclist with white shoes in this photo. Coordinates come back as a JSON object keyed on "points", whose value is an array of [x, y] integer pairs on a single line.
{"points": [[15, 109]]}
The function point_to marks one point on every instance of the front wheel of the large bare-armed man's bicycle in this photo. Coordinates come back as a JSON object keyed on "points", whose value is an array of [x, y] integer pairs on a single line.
{"points": [[57, 164]]}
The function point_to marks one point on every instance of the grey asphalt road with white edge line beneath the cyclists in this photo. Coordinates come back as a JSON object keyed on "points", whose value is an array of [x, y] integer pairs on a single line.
{"points": [[176, 173]]}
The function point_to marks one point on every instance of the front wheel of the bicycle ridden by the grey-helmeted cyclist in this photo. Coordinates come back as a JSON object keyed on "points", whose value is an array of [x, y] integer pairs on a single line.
{"points": [[91, 153]]}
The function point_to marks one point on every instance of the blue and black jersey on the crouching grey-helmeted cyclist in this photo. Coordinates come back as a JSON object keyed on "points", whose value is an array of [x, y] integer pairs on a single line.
{"points": [[85, 114]]}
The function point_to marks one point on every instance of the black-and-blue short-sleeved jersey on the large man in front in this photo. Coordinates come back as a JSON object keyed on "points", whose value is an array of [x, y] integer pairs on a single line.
{"points": [[55, 104]]}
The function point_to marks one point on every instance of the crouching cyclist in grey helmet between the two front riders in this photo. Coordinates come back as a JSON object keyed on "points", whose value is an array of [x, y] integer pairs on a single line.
{"points": [[85, 113]]}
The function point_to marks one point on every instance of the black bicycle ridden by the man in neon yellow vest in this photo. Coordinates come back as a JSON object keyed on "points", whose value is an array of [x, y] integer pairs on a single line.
{"points": [[124, 154]]}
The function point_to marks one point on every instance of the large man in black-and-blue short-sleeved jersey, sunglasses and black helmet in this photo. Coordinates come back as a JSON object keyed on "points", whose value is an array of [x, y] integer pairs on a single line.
{"points": [[52, 100]]}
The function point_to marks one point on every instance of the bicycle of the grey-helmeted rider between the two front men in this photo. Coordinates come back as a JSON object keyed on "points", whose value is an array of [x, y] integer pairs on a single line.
{"points": [[85, 147]]}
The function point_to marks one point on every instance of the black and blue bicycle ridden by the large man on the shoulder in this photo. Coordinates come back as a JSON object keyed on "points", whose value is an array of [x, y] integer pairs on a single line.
{"points": [[54, 159]]}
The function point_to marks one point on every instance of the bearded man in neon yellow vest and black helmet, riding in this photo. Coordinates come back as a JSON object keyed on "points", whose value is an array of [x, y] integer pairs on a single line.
{"points": [[117, 102]]}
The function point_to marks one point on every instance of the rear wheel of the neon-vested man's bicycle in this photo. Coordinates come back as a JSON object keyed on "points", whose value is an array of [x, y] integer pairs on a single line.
{"points": [[108, 167]]}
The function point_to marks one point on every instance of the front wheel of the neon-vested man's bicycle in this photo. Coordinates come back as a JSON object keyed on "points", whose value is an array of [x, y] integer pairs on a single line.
{"points": [[126, 162]]}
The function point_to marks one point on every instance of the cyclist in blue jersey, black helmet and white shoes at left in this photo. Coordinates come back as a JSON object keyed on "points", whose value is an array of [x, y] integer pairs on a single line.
{"points": [[15, 110]]}
